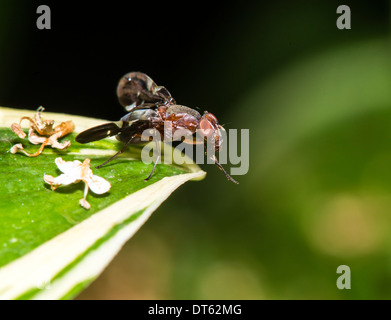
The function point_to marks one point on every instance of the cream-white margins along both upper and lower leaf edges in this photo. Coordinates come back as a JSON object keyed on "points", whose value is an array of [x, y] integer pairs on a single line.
{"points": [[37, 271]]}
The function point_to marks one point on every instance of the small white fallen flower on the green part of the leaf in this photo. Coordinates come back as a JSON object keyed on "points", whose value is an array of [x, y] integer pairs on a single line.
{"points": [[75, 171]]}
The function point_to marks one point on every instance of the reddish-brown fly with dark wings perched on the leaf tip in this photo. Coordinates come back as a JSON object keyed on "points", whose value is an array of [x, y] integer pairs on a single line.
{"points": [[150, 106]]}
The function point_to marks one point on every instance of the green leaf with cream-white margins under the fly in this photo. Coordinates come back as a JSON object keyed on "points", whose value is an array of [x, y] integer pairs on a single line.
{"points": [[51, 247]]}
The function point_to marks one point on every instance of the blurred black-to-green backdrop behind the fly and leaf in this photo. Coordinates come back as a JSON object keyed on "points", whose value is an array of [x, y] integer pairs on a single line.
{"points": [[317, 101]]}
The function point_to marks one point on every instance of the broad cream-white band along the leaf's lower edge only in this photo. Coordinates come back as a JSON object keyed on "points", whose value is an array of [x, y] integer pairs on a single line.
{"points": [[25, 273]]}
